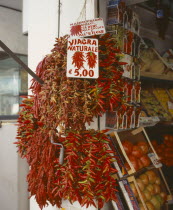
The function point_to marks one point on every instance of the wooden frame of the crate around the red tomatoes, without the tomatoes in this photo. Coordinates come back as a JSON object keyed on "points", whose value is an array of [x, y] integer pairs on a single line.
{"points": [[133, 136]]}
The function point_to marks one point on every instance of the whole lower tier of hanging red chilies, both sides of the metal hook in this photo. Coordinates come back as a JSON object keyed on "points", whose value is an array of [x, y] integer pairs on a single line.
{"points": [[86, 175]]}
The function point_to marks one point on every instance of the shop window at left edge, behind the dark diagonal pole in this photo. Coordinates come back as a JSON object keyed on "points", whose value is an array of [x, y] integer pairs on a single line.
{"points": [[13, 84]]}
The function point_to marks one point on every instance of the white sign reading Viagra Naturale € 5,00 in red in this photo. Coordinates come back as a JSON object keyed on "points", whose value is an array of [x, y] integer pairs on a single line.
{"points": [[82, 58]]}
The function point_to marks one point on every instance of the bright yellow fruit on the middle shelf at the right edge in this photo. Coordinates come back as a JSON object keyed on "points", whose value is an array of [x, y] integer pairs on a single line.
{"points": [[163, 98]]}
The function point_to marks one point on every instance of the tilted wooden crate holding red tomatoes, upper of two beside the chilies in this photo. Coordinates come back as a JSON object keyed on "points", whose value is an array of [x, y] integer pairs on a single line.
{"points": [[135, 148]]}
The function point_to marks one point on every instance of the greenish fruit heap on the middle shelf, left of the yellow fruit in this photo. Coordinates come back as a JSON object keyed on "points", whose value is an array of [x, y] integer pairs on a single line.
{"points": [[152, 105]]}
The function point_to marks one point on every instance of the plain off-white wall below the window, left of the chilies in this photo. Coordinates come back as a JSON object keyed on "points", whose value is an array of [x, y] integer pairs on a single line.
{"points": [[13, 194]]}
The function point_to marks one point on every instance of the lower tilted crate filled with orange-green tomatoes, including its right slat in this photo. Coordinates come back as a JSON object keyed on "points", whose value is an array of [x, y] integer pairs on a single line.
{"points": [[153, 188]]}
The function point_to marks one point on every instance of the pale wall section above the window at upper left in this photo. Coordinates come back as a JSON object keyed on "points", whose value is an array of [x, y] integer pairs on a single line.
{"points": [[11, 30]]}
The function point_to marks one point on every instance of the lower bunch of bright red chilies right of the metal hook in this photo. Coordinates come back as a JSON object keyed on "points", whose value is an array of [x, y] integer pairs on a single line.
{"points": [[90, 176]]}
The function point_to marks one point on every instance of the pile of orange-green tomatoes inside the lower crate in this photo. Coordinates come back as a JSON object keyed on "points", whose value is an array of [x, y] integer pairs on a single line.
{"points": [[152, 190]]}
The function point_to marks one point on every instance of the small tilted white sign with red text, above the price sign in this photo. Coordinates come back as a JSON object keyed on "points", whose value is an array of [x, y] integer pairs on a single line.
{"points": [[87, 28]]}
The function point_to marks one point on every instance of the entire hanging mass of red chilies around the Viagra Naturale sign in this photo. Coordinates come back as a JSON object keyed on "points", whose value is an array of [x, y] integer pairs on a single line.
{"points": [[70, 103]]}
